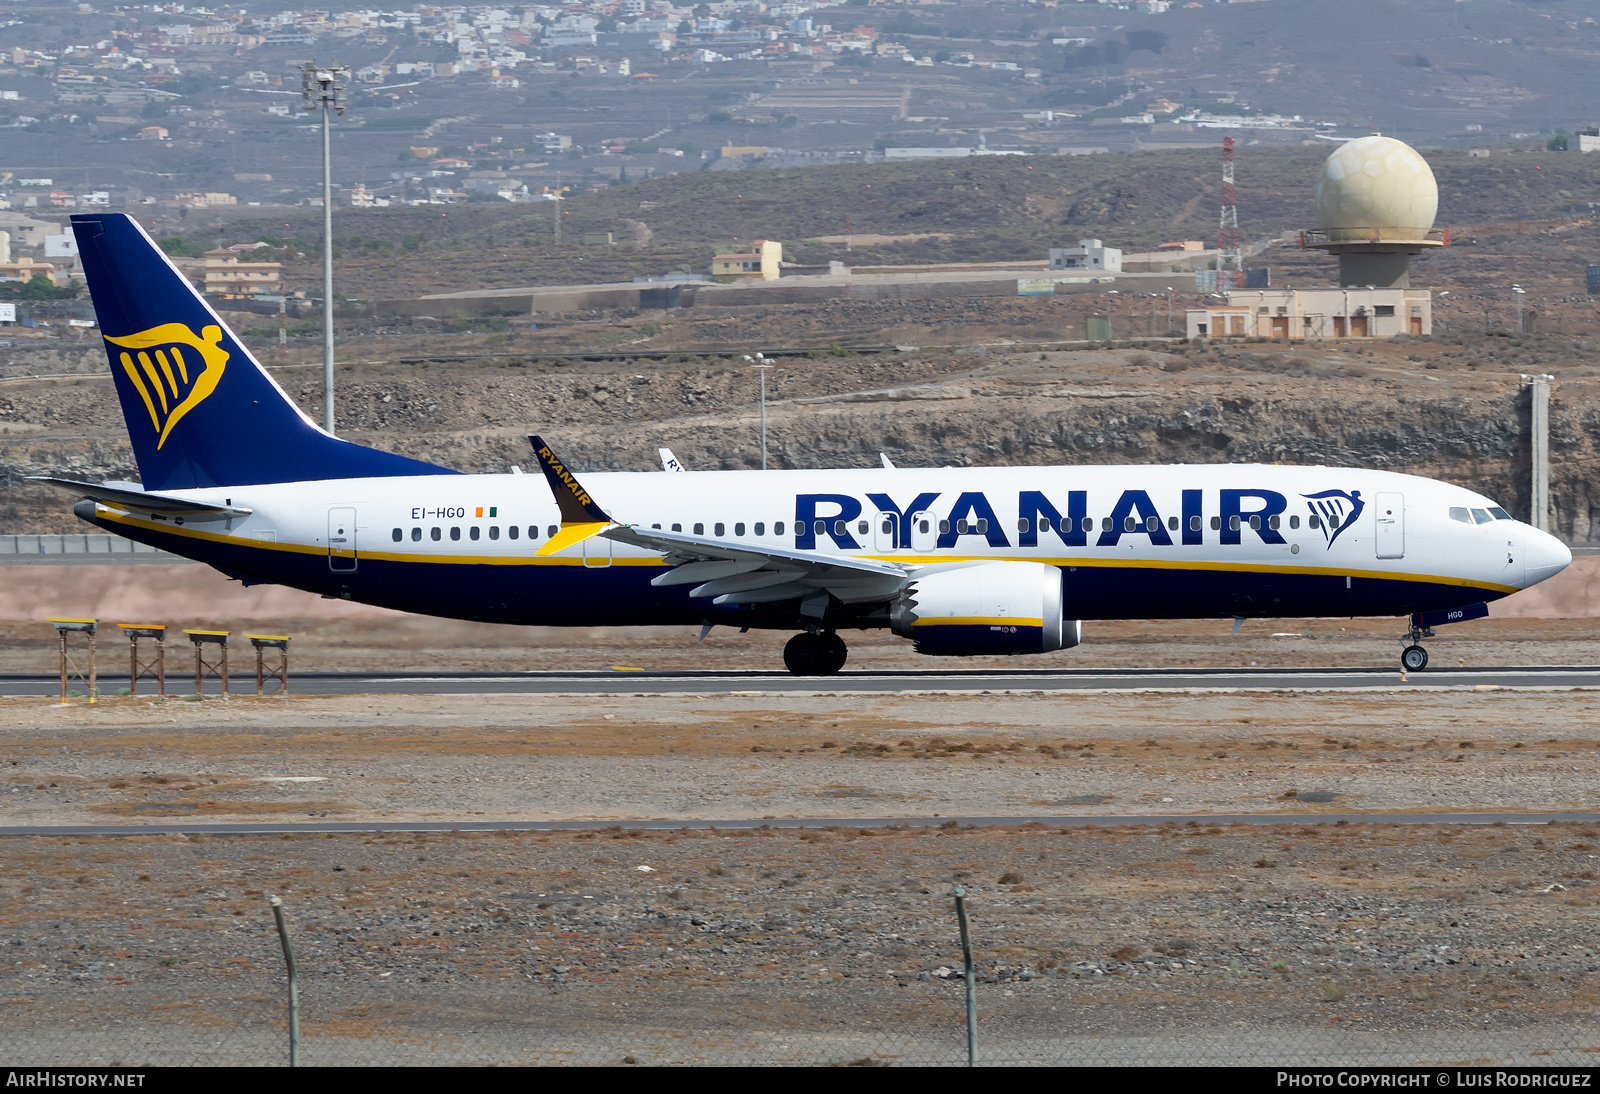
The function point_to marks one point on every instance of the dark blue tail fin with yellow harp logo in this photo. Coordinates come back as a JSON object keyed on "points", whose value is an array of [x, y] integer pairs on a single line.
{"points": [[201, 410]]}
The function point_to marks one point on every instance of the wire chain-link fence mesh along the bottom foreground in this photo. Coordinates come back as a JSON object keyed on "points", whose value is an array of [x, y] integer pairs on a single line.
{"points": [[1159, 1010]]}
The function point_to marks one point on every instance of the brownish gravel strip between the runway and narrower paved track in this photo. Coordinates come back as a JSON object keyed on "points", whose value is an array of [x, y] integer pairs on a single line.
{"points": [[814, 756]]}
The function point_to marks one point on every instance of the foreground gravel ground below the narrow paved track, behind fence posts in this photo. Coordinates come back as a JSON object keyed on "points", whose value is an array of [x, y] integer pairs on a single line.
{"points": [[1178, 944]]}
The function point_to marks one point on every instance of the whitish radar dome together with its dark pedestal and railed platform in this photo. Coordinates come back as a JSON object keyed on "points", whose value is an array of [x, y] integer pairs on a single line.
{"points": [[1377, 201]]}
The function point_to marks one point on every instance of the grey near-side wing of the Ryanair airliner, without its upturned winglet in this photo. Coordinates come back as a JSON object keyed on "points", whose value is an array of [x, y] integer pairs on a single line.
{"points": [[738, 573]]}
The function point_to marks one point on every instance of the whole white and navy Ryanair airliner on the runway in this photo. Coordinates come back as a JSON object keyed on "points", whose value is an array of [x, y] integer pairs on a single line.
{"points": [[983, 561]]}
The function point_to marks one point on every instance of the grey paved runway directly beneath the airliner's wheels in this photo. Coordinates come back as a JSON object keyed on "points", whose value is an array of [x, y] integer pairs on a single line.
{"points": [[636, 682]]}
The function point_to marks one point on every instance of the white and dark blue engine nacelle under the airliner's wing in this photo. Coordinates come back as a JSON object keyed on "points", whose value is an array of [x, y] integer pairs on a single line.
{"points": [[991, 609]]}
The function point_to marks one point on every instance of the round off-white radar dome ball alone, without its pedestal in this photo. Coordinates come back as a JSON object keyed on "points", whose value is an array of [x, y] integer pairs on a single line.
{"points": [[1377, 188]]}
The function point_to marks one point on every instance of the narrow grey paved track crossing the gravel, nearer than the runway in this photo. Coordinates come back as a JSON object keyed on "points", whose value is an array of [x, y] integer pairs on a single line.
{"points": [[794, 823]]}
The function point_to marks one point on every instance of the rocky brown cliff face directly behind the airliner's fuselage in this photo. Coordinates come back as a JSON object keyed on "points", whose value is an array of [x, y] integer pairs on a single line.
{"points": [[1409, 412]]}
